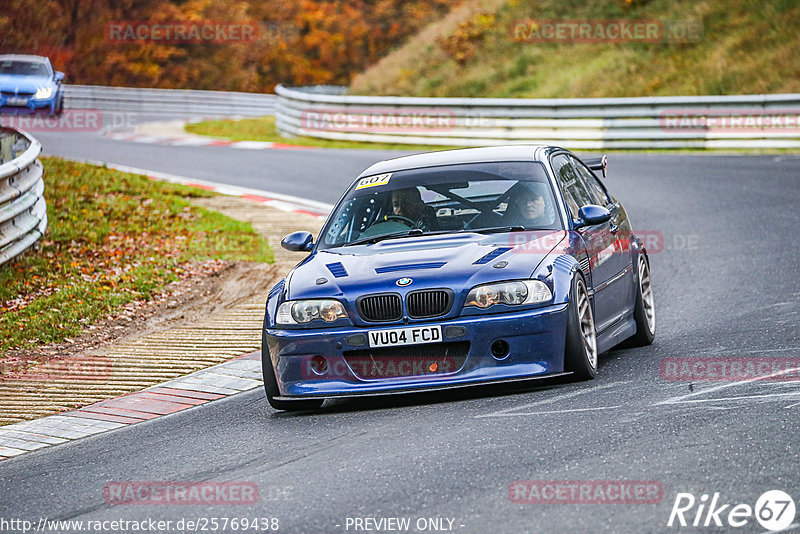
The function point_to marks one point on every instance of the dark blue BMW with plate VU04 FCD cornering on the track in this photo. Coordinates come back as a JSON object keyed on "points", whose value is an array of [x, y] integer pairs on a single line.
{"points": [[458, 268]]}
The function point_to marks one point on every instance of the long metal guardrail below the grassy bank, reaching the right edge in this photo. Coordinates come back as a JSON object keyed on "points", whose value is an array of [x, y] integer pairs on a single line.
{"points": [[706, 122]]}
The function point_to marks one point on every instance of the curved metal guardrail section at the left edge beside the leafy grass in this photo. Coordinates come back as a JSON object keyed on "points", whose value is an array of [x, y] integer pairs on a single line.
{"points": [[23, 212]]}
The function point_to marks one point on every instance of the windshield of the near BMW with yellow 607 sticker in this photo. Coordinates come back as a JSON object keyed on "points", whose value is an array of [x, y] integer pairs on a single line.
{"points": [[475, 197]]}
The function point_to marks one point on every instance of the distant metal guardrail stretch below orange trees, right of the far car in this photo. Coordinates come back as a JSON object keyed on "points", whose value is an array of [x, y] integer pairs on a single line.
{"points": [[171, 103]]}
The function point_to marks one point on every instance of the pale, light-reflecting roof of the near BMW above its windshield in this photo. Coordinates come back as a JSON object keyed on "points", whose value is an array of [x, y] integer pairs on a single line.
{"points": [[461, 155]]}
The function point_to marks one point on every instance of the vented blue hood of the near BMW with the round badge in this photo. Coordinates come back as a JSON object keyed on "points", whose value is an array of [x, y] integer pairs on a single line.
{"points": [[457, 261]]}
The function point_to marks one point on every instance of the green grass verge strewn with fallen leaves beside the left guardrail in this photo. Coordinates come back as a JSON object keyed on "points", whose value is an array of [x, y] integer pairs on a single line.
{"points": [[112, 238]]}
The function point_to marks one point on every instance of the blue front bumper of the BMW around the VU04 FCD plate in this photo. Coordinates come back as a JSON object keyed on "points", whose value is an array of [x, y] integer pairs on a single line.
{"points": [[535, 341]]}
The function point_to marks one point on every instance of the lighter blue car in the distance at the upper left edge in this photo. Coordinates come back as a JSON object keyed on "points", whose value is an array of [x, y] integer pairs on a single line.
{"points": [[28, 85]]}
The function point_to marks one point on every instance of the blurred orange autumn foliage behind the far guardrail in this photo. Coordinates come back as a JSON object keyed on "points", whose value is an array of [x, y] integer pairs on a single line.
{"points": [[302, 42]]}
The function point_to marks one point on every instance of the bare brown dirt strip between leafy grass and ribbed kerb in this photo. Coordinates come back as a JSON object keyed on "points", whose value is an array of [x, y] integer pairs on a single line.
{"points": [[207, 288]]}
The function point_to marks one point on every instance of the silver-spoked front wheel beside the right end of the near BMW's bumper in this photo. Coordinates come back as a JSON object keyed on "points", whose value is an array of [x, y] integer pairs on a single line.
{"points": [[580, 354]]}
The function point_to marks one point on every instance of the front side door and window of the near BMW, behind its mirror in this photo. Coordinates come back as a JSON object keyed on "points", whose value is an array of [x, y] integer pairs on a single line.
{"points": [[599, 240]]}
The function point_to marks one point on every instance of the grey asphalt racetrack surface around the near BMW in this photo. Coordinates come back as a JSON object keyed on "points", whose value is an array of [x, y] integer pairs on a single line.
{"points": [[726, 285]]}
